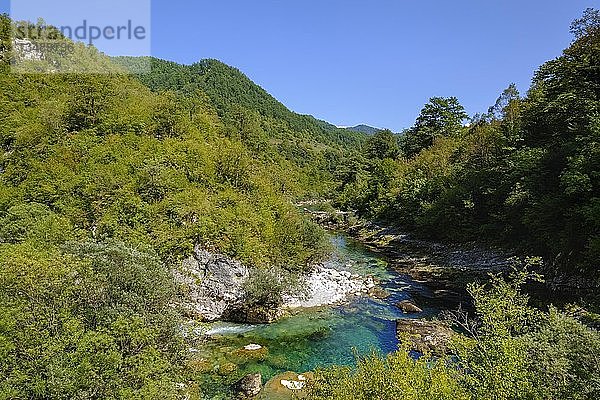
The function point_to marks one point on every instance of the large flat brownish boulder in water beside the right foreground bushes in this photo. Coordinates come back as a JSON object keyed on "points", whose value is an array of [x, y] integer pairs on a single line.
{"points": [[425, 336]]}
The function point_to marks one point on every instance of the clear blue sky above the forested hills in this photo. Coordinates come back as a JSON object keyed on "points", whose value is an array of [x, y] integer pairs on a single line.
{"points": [[376, 61]]}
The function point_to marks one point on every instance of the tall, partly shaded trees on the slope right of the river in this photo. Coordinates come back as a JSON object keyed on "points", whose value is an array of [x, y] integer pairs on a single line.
{"points": [[526, 174]]}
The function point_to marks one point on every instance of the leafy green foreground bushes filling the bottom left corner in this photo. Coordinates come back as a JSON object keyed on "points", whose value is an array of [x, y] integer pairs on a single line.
{"points": [[86, 321]]}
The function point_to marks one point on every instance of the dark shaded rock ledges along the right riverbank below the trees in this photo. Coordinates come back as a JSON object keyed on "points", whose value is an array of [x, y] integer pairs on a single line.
{"points": [[444, 263]]}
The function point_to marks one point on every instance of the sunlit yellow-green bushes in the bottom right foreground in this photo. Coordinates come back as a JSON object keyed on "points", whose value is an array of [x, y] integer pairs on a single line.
{"points": [[509, 350]]}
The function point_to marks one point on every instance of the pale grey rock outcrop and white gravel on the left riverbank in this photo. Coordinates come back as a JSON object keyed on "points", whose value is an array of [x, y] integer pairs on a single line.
{"points": [[213, 289]]}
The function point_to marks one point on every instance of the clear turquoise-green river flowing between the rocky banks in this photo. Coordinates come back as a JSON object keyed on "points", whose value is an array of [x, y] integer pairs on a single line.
{"points": [[318, 338]]}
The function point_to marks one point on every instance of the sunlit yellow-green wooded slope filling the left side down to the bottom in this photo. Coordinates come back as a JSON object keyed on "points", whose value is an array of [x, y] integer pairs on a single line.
{"points": [[104, 186]]}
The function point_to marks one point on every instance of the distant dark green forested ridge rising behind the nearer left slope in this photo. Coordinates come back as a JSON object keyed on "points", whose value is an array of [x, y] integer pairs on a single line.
{"points": [[249, 112]]}
